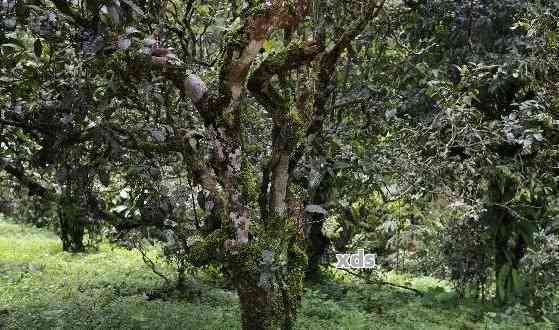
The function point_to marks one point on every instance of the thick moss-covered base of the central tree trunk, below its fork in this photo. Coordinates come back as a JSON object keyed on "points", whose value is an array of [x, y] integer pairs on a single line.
{"points": [[269, 280]]}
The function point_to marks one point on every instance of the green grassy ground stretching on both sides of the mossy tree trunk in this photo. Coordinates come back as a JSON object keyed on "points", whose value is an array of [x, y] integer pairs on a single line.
{"points": [[42, 287]]}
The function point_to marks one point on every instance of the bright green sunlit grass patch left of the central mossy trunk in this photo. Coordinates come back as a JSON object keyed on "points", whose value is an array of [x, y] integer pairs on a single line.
{"points": [[42, 287]]}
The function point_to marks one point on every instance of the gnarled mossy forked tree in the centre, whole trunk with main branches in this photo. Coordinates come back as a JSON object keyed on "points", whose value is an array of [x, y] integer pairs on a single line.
{"points": [[268, 270]]}
